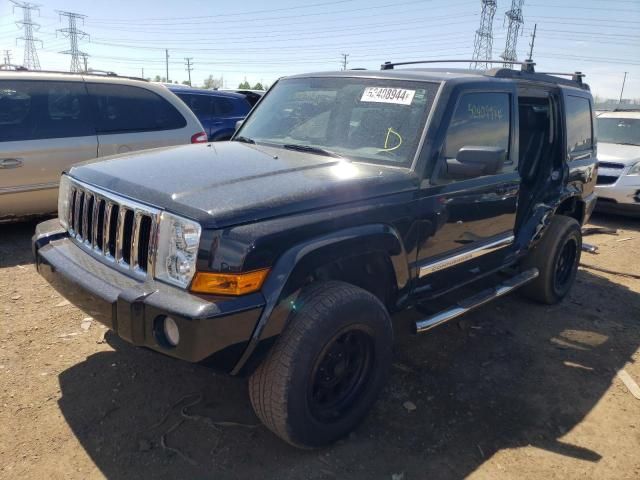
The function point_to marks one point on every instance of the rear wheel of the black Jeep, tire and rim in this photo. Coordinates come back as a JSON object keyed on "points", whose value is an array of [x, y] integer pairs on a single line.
{"points": [[556, 256]]}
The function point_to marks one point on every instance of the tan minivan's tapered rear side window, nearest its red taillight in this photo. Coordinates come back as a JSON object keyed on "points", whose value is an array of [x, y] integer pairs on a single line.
{"points": [[124, 108]]}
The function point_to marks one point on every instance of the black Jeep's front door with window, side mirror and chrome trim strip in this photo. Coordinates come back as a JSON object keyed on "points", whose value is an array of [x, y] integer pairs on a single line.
{"points": [[468, 205]]}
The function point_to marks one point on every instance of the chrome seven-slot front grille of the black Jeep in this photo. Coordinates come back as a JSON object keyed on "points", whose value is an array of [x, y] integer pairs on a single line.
{"points": [[115, 229]]}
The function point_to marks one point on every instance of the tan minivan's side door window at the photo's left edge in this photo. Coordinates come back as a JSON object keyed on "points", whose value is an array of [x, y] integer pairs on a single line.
{"points": [[33, 110]]}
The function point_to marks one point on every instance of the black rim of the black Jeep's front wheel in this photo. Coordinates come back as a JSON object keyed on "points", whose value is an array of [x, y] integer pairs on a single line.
{"points": [[340, 375]]}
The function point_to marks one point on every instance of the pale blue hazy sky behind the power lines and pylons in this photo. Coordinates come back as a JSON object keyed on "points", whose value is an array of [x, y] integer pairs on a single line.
{"points": [[265, 40]]}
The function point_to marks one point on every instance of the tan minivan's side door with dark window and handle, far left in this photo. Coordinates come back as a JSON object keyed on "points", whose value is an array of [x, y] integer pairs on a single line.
{"points": [[45, 126]]}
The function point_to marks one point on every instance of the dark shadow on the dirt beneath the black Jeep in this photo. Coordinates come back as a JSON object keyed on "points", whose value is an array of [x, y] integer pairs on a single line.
{"points": [[512, 374]]}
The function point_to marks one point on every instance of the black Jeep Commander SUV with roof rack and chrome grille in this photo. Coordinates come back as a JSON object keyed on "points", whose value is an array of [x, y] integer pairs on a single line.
{"points": [[342, 198]]}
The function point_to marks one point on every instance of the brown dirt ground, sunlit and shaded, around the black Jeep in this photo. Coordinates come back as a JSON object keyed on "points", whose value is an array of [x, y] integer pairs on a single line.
{"points": [[514, 390]]}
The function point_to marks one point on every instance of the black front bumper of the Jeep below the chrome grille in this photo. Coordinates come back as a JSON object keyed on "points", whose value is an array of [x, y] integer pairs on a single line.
{"points": [[212, 329]]}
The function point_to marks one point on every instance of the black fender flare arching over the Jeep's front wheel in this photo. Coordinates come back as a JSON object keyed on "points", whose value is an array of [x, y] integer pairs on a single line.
{"points": [[370, 238]]}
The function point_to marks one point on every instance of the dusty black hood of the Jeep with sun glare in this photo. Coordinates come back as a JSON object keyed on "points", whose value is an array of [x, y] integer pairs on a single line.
{"points": [[225, 183]]}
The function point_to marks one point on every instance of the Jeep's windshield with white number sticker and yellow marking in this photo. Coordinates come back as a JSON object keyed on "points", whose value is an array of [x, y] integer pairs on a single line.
{"points": [[371, 120]]}
